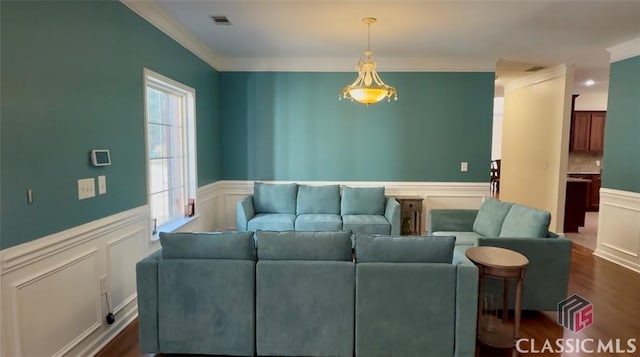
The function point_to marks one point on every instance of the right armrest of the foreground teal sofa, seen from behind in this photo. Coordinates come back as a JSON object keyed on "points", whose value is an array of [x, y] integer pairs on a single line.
{"points": [[466, 305]]}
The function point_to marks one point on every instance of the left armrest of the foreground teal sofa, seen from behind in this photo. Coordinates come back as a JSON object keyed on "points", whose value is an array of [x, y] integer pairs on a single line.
{"points": [[147, 286]]}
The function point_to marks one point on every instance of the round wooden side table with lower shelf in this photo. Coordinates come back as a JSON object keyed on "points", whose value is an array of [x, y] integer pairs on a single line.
{"points": [[503, 264]]}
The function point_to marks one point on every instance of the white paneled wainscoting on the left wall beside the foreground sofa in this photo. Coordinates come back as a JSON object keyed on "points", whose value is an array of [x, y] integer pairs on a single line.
{"points": [[52, 296]]}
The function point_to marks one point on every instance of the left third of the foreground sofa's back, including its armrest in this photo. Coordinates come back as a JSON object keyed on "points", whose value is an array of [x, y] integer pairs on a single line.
{"points": [[196, 295]]}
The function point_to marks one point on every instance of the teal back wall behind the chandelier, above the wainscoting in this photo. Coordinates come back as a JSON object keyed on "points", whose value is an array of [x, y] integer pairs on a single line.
{"points": [[291, 126]]}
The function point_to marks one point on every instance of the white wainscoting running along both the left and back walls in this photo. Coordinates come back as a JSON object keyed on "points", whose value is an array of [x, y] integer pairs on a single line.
{"points": [[51, 298]]}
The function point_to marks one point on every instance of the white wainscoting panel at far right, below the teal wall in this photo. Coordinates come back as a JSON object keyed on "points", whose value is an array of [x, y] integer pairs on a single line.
{"points": [[619, 228]]}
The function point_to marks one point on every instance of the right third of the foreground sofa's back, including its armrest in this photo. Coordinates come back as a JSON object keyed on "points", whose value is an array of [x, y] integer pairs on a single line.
{"points": [[414, 297]]}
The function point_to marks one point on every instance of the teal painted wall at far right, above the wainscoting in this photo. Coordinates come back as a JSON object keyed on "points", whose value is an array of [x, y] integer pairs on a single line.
{"points": [[621, 161]]}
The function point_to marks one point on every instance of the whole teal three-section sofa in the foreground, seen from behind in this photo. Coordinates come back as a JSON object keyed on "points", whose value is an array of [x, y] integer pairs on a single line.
{"points": [[303, 294]]}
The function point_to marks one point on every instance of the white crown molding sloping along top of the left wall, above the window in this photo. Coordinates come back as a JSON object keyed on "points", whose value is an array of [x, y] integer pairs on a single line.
{"points": [[161, 19]]}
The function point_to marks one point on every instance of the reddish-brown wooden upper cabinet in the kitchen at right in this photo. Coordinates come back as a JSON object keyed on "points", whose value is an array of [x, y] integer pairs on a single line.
{"points": [[587, 131]]}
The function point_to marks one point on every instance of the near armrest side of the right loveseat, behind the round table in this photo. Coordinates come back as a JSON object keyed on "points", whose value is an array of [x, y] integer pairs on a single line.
{"points": [[547, 275]]}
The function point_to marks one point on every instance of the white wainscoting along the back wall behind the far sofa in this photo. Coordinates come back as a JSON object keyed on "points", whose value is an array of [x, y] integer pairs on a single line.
{"points": [[435, 195]]}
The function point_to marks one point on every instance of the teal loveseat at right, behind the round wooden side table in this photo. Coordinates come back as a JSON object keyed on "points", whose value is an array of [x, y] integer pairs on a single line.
{"points": [[522, 229]]}
